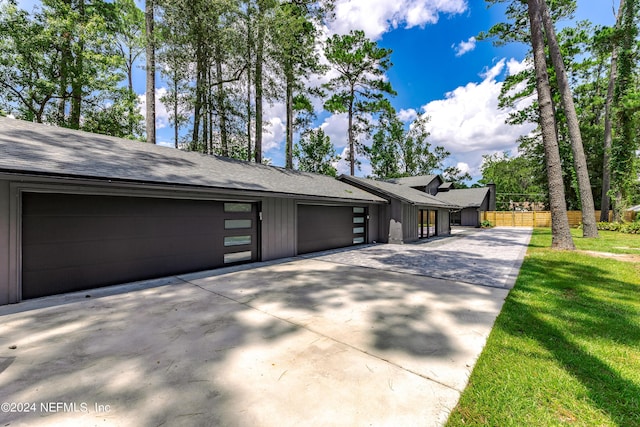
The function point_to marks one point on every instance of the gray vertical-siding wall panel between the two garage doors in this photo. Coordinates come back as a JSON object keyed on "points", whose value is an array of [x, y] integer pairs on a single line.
{"points": [[279, 228]]}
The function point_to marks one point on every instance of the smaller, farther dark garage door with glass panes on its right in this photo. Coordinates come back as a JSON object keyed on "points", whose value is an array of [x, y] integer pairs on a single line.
{"points": [[329, 227]]}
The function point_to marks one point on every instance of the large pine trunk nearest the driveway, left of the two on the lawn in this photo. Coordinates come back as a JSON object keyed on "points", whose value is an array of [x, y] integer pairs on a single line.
{"points": [[561, 233]]}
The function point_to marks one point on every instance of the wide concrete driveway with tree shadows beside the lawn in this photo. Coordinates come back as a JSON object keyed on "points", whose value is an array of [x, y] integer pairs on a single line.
{"points": [[367, 336]]}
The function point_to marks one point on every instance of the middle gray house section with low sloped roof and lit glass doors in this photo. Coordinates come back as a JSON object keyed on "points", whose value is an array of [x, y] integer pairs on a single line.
{"points": [[411, 214]]}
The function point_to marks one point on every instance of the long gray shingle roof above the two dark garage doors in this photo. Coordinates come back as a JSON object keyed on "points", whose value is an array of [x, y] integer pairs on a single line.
{"points": [[32, 148]]}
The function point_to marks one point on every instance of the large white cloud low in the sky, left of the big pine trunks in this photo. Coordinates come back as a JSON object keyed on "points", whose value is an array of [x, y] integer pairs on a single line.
{"points": [[469, 123]]}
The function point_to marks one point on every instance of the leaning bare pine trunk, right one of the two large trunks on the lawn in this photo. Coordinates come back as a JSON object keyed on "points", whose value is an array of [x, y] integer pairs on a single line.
{"points": [[589, 226]]}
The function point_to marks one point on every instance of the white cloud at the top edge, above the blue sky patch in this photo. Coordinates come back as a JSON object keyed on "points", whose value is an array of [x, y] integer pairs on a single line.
{"points": [[376, 17]]}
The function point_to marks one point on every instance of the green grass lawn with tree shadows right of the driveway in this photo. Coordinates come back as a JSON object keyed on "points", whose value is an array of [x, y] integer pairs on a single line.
{"points": [[565, 350]]}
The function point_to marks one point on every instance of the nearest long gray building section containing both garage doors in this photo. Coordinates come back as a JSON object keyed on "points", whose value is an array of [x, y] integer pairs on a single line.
{"points": [[80, 211]]}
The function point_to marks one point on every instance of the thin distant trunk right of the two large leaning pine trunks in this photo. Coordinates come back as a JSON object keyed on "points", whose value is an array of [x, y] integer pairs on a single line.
{"points": [[608, 128]]}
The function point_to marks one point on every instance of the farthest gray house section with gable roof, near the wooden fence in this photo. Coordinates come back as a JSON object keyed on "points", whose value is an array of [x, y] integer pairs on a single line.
{"points": [[472, 202]]}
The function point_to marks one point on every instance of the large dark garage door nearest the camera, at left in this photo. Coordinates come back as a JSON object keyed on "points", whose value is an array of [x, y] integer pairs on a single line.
{"points": [[78, 242]]}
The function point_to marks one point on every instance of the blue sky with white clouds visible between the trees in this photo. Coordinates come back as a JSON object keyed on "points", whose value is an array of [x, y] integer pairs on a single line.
{"points": [[438, 70]]}
